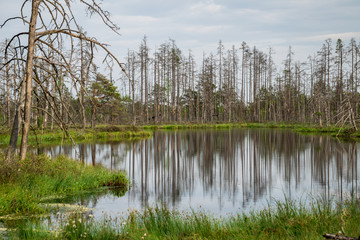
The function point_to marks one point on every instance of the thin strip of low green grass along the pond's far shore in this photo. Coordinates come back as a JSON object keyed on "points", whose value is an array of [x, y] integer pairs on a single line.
{"points": [[104, 133]]}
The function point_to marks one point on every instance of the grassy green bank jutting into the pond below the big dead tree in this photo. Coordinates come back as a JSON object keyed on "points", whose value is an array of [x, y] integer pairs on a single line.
{"points": [[23, 185]]}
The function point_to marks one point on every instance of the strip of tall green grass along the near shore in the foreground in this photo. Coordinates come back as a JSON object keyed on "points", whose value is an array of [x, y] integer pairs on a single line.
{"points": [[282, 220]]}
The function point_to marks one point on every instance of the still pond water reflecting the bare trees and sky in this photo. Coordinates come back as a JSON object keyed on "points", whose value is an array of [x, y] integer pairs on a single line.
{"points": [[222, 171]]}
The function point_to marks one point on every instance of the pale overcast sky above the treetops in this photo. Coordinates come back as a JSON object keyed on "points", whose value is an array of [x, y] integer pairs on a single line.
{"points": [[199, 25]]}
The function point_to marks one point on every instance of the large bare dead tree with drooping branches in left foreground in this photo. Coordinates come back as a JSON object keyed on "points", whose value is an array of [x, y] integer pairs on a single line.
{"points": [[51, 27]]}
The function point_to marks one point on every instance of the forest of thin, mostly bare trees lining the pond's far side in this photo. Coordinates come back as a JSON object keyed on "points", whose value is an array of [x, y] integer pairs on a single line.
{"points": [[167, 85]]}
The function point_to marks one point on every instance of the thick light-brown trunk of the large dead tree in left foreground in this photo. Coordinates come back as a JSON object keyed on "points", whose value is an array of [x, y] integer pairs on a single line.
{"points": [[28, 79]]}
